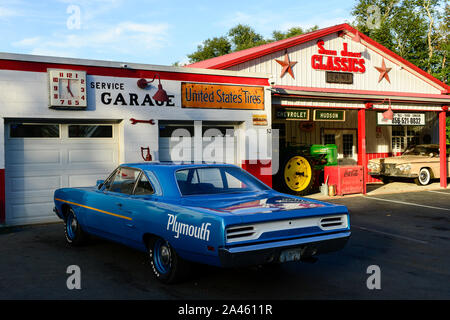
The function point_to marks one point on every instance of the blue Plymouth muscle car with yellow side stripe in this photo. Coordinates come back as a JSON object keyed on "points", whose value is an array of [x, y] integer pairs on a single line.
{"points": [[216, 214]]}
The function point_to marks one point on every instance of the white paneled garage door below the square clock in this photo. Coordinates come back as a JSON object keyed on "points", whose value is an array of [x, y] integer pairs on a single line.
{"points": [[40, 158]]}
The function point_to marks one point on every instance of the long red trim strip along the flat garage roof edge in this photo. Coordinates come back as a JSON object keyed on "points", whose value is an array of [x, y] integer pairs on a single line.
{"points": [[131, 73]]}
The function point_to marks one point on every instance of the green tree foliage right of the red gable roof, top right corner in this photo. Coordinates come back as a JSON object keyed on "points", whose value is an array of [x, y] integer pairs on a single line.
{"points": [[417, 30]]}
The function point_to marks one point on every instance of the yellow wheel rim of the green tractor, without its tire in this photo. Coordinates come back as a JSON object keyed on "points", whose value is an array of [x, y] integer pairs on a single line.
{"points": [[297, 173]]}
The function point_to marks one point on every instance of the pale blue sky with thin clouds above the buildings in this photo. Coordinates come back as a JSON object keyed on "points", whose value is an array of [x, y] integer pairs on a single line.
{"points": [[154, 32]]}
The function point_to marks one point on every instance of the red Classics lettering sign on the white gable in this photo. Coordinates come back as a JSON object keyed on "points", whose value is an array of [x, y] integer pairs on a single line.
{"points": [[332, 60]]}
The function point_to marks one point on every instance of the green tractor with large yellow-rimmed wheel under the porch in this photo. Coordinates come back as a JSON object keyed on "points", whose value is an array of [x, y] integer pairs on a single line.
{"points": [[301, 167]]}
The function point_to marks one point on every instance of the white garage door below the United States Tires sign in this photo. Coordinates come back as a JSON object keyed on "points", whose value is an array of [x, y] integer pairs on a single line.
{"points": [[218, 143]]}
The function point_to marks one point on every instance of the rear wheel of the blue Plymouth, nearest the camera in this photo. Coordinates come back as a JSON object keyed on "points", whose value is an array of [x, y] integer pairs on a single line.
{"points": [[167, 266]]}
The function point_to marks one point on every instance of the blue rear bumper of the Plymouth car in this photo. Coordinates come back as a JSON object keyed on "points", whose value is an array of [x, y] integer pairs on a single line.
{"points": [[269, 252]]}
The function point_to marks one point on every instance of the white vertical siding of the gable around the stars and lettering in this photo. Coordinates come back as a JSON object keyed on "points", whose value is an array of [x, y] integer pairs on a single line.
{"points": [[402, 79]]}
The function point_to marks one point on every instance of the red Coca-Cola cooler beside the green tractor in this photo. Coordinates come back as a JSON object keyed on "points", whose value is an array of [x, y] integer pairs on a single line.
{"points": [[346, 179]]}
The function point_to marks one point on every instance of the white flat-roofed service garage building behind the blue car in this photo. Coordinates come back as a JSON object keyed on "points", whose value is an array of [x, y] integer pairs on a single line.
{"points": [[69, 122]]}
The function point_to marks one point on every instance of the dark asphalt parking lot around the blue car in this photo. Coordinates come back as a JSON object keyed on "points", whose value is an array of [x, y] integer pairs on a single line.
{"points": [[406, 236]]}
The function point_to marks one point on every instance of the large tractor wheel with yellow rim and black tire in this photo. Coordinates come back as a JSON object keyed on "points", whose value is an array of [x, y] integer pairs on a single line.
{"points": [[298, 175]]}
